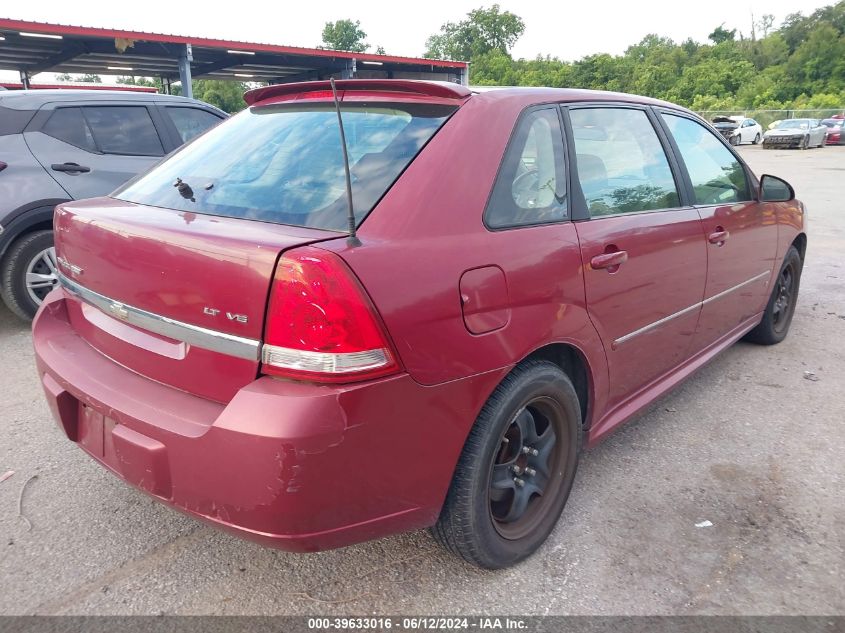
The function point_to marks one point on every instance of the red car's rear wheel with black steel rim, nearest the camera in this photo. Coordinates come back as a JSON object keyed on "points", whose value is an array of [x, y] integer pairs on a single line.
{"points": [[516, 469]]}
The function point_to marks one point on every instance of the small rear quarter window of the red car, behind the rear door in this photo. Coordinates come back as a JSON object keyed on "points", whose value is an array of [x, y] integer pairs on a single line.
{"points": [[530, 187]]}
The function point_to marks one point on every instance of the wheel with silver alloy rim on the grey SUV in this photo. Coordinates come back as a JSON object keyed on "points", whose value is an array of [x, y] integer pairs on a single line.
{"points": [[31, 254]]}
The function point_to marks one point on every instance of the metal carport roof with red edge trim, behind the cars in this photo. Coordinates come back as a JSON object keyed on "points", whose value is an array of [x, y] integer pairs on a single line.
{"points": [[34, 47]]}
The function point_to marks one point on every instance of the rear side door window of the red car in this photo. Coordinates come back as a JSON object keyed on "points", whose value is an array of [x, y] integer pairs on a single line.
{"points": [[622, 167]]}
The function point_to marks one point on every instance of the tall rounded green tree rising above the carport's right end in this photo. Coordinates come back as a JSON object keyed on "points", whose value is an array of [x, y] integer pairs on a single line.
{"points": [[483, 31]]}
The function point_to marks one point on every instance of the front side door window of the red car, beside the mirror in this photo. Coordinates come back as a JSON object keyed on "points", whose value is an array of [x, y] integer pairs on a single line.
{"points": [[716, 174]]}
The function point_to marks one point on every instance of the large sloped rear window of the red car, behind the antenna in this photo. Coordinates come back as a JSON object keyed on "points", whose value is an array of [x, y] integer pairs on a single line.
{"points": [[283, 163]]}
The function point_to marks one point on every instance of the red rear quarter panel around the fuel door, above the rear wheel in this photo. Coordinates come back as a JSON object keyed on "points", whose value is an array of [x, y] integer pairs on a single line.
{"points": [[428, 230]]}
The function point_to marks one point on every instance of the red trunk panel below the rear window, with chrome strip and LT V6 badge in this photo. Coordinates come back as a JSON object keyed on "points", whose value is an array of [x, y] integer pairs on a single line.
{"points": [[175, 296]]}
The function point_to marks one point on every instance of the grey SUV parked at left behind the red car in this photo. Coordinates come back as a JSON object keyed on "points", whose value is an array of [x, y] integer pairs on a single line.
{"points": [[62, 145]]}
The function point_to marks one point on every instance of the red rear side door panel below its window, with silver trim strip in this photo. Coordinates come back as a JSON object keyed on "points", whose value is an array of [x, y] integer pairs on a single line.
{"points": [[664, 275]]}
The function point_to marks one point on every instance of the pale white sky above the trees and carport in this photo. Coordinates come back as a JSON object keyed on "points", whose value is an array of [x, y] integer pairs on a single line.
{"points": [[568, 30]]}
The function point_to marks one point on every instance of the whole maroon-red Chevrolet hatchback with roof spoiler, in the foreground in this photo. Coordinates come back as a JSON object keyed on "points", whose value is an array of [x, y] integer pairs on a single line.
{"points": [[310, 357]]}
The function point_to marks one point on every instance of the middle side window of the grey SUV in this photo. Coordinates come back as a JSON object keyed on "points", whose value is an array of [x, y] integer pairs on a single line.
{"points": [[124, 130]]}
